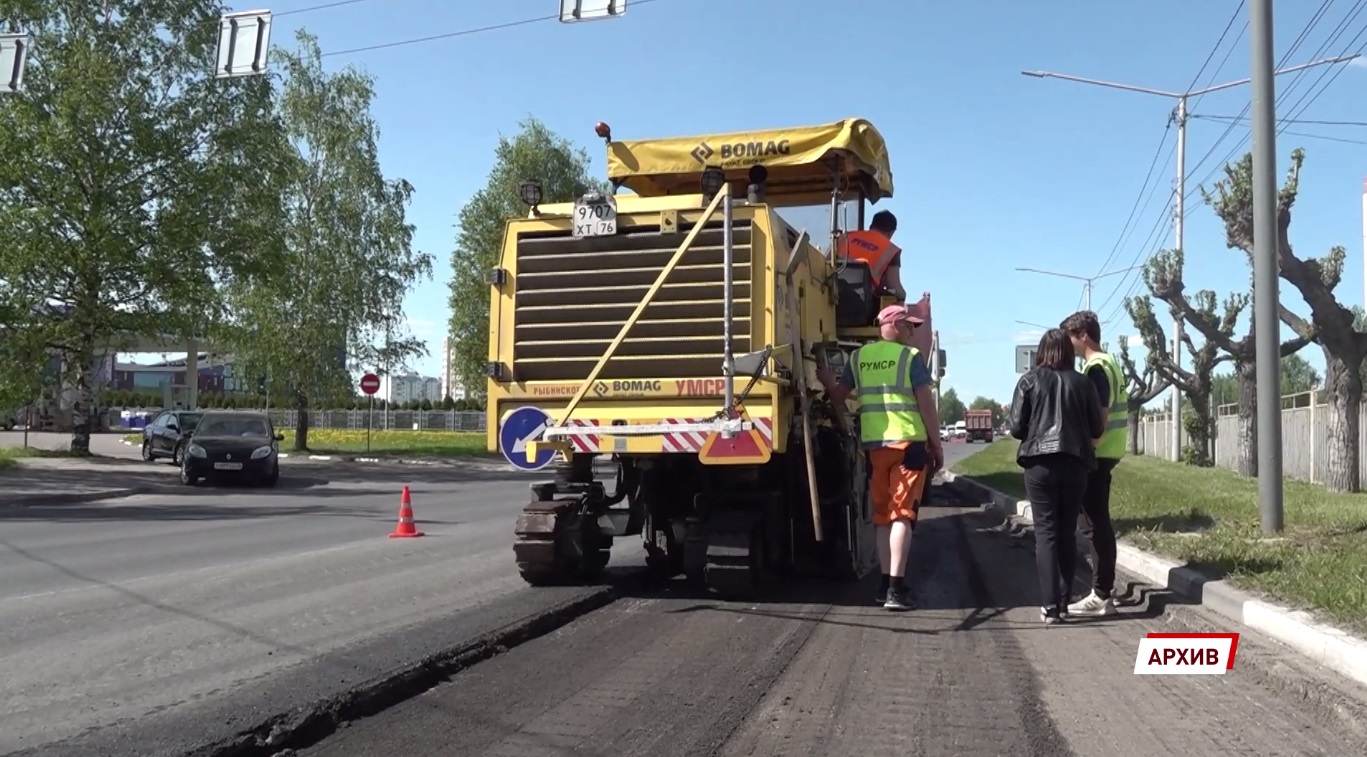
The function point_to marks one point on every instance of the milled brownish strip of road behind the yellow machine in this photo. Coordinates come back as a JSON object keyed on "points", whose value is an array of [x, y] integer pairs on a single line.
{"points": [[824, 673]]}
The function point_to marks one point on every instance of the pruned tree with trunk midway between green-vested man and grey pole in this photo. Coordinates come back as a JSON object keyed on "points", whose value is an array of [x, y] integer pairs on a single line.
{"points": [[1195, 383]]}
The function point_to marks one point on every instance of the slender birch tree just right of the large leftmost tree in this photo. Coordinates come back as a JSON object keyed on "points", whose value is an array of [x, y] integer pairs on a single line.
{"points": [[347, 238]]}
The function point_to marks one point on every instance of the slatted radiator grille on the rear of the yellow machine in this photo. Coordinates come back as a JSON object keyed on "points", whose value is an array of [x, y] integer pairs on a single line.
{"points": [[573, 297]]}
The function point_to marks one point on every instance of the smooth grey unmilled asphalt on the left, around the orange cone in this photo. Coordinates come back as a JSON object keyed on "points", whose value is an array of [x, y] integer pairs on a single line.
{"points": [[151, 625]]}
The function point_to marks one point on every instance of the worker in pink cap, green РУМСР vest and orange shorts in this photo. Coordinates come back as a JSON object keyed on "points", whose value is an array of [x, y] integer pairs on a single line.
{"points": [[897, 412]]}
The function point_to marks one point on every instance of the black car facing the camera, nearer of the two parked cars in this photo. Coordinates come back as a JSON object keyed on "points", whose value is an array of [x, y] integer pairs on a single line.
{"points": [[233, 443]]}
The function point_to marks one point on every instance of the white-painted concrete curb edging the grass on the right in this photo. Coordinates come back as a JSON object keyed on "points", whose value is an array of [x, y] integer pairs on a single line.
{"points": [[1299, 631]]}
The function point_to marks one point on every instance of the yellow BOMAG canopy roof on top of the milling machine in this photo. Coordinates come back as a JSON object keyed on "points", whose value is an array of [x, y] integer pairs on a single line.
{"points": [[803, 162]]}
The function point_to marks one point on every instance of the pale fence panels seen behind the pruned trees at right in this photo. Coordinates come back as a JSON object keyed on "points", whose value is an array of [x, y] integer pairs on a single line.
{"points": [[1305, 438]]}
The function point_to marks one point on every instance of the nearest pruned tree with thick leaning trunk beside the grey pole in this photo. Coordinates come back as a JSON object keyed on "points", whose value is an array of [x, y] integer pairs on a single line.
{"points": [[1332, 325]]}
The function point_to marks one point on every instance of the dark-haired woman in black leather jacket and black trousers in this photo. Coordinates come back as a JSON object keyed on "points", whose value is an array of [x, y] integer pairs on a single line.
{"points": [[1059, 420]]}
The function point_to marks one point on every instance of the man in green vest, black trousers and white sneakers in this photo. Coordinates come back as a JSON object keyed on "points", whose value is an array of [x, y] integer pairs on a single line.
{"points": [[1104, 372]]}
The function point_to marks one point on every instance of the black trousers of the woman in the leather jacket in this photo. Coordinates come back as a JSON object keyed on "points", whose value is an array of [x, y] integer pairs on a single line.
{"points": [[1056, 487]]}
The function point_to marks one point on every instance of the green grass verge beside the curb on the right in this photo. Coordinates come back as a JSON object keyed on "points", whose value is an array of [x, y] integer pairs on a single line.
{"points": [[1209, 519]]}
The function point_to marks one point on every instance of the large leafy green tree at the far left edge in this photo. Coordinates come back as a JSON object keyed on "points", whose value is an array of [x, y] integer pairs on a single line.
{"points": [[132, 182]]}
